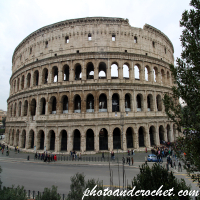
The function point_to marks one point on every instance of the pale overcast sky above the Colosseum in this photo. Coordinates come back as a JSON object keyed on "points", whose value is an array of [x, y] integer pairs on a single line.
{"points": [[19, 18]]}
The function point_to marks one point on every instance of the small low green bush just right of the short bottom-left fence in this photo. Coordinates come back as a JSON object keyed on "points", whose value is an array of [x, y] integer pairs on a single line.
{"points": [[49, 194]]}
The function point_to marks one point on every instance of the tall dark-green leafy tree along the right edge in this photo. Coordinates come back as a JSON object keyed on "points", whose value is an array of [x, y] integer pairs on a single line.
{"points": [[187, 86]]}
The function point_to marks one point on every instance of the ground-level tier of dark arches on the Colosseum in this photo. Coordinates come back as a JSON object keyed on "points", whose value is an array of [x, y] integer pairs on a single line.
{"points": [[95, 138]]}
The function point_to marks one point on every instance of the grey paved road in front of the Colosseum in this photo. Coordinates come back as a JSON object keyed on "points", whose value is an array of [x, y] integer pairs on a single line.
{"points": [[36, 175]]}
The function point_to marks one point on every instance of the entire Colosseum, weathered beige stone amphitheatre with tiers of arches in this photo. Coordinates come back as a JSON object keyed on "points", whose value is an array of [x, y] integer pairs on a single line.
{"points": [[90, 85]]}
